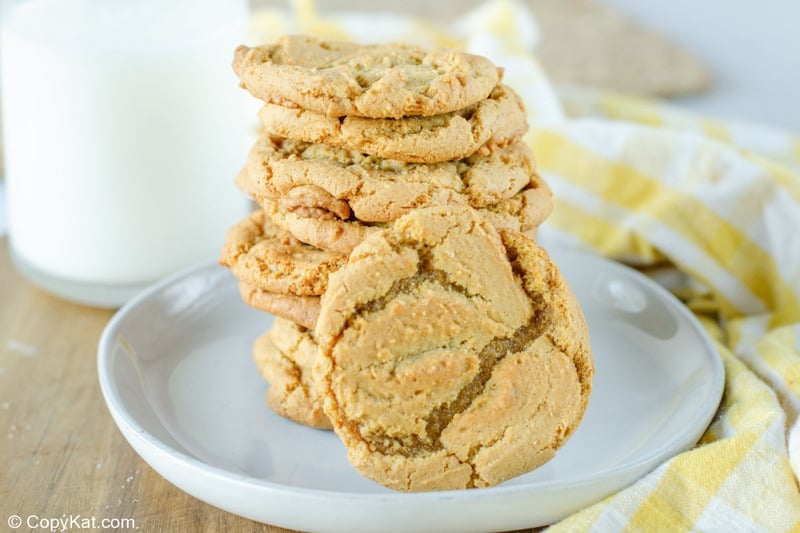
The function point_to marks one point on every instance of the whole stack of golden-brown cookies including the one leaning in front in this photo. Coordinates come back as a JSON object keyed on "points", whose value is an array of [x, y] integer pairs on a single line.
{"points": [[390, 244]]}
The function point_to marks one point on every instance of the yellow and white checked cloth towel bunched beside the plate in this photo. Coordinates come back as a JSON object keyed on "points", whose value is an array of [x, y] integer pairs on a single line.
{"points": [[718, 202]]}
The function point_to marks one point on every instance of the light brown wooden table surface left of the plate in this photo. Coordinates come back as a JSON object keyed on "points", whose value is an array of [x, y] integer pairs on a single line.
{"points": [[60, 453]]}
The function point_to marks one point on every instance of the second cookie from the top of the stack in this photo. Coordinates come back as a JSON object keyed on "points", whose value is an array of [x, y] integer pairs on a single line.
{"points": [[494, 122]]}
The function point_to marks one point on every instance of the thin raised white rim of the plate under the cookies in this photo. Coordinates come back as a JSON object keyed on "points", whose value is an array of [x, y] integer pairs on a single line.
{"points": [[122, 417]]}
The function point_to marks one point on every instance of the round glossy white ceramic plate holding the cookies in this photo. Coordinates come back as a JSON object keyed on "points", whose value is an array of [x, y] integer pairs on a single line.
{"points": [[176, 372]]}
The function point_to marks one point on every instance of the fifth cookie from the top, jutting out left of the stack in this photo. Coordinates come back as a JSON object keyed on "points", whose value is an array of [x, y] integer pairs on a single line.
{"points": [[267, 257]]}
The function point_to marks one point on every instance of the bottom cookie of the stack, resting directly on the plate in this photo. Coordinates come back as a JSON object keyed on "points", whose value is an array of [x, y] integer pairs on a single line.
{"points": [[284, 356]]}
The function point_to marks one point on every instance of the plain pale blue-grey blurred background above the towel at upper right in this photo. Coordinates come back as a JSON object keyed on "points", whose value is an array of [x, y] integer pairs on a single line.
{"points": [[752, 48]]}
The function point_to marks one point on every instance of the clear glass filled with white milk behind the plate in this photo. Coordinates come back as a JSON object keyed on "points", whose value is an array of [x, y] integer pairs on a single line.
{"points": [[124, 127]]}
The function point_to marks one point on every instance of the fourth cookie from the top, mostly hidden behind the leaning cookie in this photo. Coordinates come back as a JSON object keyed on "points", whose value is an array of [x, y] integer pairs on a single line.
{"points": [[523, 212]]}
